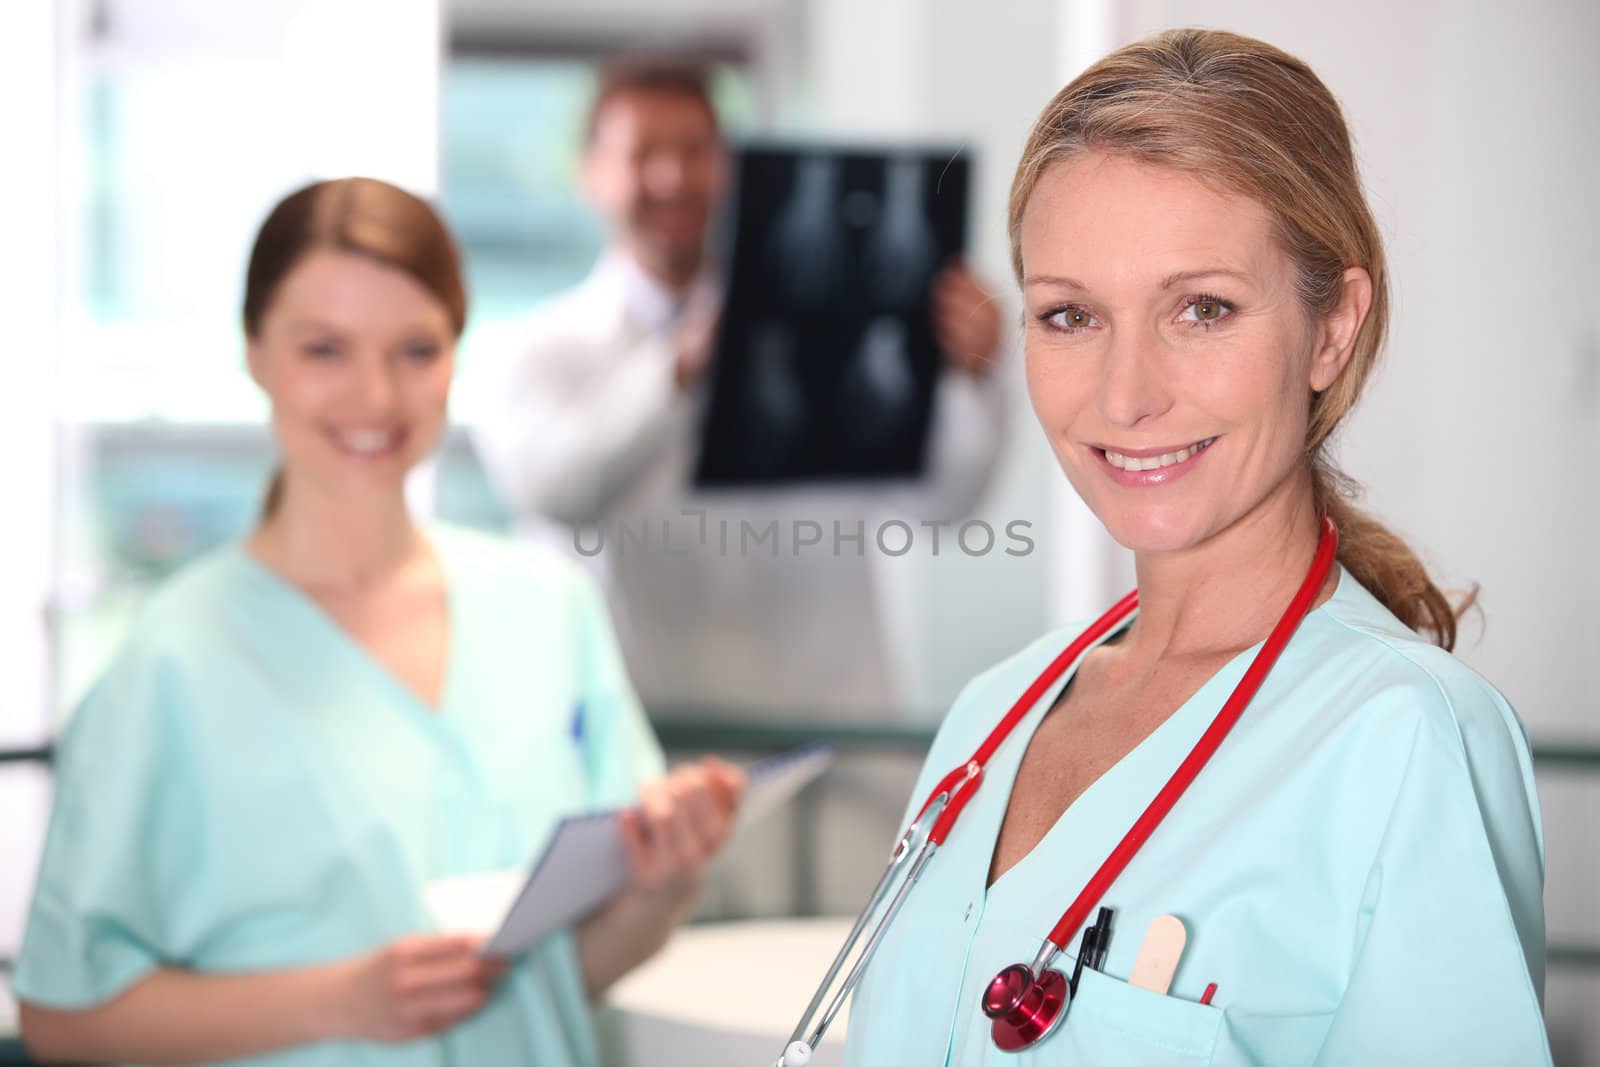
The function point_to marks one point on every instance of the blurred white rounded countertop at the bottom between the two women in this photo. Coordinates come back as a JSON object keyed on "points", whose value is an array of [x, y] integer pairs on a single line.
{"points": [[724, 994]]}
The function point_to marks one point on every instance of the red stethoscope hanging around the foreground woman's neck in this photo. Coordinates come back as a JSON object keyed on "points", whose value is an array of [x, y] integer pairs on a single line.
{"points": [[1026, 1002]]}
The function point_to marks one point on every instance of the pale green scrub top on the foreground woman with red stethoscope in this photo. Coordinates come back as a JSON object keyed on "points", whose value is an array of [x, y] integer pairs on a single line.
{"points": [[1359, 869]]}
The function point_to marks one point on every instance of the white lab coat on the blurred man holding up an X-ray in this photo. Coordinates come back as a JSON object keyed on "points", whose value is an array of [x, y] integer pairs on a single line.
{"points": [[586, 426]]}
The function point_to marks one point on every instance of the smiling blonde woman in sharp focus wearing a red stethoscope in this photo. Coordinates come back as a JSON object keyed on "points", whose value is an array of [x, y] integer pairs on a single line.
{"points": [[1361, 865]]}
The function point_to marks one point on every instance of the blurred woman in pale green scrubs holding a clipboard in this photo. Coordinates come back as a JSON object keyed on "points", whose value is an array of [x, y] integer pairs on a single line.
{"points": [[313, 724]]}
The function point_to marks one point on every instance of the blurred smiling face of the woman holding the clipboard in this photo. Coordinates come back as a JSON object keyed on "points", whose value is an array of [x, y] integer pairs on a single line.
{"points": [[356, 359]]}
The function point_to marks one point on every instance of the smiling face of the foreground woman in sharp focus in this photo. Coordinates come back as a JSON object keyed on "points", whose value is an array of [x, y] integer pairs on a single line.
{"points": [[1169, 356]]}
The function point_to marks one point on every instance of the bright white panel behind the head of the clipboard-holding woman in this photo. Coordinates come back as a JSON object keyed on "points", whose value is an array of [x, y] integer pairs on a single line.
{"points": [[207, 116]]}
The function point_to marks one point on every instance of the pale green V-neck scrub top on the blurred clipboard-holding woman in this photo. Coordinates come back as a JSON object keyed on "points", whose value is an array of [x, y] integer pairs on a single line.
{"points": [[247, 789]]}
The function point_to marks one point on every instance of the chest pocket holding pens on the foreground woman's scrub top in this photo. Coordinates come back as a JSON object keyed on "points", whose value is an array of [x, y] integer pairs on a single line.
{"points": [[1114, 1025]]}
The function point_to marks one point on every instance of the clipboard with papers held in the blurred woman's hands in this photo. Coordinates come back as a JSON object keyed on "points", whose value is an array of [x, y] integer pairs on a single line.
{"points": [[585, 865]]}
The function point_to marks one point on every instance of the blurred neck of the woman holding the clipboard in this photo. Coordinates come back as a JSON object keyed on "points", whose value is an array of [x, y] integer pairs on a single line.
{"points": [[332, 545]]}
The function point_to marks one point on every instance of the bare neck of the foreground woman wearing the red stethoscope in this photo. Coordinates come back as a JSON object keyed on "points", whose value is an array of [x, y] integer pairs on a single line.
{"points": [[1225, 594]]}
